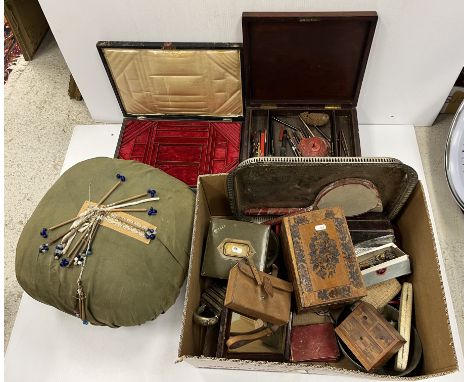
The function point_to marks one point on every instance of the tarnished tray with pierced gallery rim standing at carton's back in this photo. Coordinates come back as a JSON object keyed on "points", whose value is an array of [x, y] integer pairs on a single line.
{"points": [[272, 182]]}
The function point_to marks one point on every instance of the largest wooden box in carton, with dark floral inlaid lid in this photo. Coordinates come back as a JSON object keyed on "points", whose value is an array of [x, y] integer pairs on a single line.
{"points": [[320, 257]]}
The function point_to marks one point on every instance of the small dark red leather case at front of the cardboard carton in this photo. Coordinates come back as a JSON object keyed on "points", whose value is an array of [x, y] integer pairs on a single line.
{"points": [[314, 343]]}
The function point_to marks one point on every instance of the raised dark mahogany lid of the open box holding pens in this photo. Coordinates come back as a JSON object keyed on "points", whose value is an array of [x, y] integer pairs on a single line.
{"points": [[299, 59]]}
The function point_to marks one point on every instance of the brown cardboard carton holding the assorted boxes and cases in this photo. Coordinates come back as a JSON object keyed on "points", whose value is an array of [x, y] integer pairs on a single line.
{"points": [[430, 310]]}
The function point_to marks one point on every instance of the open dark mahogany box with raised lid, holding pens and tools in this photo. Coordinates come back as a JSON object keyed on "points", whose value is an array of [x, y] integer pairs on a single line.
{"points": [[305, 62]]}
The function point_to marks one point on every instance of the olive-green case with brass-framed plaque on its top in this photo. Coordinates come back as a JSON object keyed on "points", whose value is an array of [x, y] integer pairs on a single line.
{"points": [[229, 241]]}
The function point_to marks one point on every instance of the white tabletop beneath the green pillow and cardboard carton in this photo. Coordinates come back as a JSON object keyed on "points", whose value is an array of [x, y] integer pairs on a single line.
{"points": [[48, 345]]}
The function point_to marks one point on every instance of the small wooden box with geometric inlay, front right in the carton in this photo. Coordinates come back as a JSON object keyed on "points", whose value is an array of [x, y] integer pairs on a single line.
{"points": [[369, 336]]}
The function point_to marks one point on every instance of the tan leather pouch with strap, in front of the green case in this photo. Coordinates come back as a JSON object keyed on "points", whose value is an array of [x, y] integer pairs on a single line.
{"points": [[258, 295]]}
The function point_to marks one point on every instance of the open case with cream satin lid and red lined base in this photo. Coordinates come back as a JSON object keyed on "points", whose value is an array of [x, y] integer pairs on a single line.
{"points": [[182, 104]]}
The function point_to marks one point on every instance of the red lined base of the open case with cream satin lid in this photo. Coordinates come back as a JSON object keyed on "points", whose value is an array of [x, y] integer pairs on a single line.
{"points": [[183, 149]]}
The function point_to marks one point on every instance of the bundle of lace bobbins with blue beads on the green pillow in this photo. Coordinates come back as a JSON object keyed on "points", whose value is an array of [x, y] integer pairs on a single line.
{"points": [[84, 227]]}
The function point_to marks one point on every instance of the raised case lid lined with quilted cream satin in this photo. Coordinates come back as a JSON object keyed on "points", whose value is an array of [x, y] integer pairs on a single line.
{"points": [[175, 79]]}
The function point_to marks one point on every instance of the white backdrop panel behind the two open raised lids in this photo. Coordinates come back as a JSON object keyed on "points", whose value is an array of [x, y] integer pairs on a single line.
{"points": [[415, 58]]}
